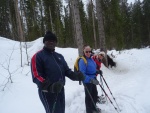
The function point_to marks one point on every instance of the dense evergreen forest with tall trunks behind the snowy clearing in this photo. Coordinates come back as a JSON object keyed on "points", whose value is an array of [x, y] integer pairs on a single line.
{"points": [[122, 25]]}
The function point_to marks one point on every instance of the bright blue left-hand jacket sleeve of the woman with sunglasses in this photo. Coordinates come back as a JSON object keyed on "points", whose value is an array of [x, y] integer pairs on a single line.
{"points": [[82, 68]]}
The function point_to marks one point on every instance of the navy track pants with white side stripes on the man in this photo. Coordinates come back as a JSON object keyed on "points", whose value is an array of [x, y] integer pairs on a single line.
{"points": [[48, 100]]}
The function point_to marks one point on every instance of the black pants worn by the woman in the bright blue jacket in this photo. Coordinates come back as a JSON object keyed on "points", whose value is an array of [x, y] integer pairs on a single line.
{"points": [[90, 103]]}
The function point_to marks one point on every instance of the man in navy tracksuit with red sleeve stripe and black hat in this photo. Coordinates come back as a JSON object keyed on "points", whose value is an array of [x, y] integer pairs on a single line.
{"points": [[49, 69]]}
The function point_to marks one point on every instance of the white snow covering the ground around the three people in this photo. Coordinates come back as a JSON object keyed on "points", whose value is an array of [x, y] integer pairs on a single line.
{"points": [[129, 82]]}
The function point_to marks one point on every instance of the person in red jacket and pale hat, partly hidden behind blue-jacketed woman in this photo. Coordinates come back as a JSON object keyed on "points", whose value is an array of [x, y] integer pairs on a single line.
{"points": [[98, 60]]}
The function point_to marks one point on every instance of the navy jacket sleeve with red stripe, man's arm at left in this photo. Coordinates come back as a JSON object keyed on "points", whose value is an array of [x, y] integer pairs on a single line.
{"points": [[37, 70]]}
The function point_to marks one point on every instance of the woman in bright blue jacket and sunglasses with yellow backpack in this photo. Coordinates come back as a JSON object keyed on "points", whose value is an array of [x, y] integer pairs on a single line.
{"points": [[90, 82]]}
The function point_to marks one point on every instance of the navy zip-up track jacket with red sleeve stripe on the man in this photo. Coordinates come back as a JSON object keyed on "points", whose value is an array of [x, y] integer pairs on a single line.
{"points": [[49, 65]]}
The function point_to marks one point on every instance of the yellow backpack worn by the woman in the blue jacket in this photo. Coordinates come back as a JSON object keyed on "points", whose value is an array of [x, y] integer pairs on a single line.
{"points": [[76, 65]]}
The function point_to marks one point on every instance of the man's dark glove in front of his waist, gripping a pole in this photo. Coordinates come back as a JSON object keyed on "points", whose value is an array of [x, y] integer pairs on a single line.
{"points": [[56, 87]]}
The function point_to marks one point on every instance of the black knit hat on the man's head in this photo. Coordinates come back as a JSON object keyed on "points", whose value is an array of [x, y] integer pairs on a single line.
{"points": [[49, 36]]}
